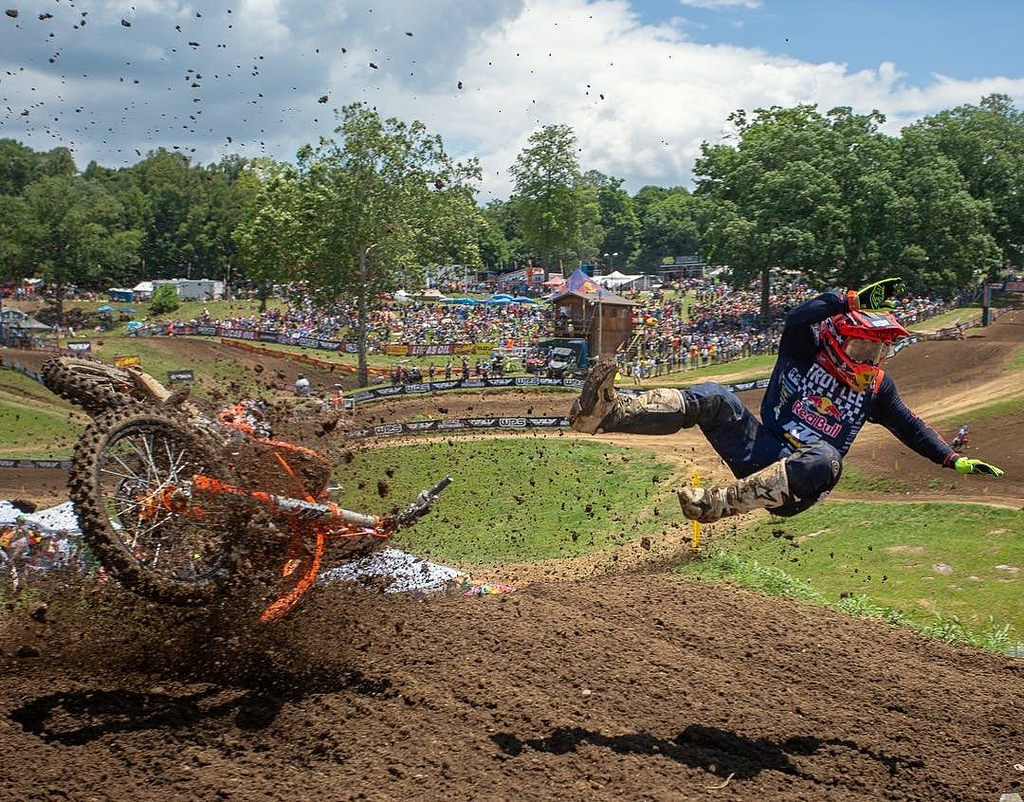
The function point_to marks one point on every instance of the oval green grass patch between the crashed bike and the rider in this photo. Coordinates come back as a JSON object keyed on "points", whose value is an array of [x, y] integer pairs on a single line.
{"points": [[517, 500]]}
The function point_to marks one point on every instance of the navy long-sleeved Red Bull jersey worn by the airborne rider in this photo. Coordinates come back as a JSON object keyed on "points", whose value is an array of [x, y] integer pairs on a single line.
{"points": [[805, 404]]}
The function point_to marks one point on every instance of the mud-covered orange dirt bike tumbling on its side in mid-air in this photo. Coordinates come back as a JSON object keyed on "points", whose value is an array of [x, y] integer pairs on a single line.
{"points": [[163, 500]]}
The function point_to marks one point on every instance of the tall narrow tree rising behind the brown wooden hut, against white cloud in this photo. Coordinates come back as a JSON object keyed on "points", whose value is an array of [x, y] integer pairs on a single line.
{"points": [[560, 214]]}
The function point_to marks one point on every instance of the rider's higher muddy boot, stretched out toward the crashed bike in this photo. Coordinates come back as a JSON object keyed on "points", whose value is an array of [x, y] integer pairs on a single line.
{"points": [[601, 408]]}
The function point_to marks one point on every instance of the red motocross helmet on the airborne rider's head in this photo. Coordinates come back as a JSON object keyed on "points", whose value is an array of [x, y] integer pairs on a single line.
{"points": [[855, 346]]}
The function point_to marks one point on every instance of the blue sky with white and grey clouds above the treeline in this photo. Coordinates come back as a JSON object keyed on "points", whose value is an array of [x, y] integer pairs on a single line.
{"points": [[643, 83]]}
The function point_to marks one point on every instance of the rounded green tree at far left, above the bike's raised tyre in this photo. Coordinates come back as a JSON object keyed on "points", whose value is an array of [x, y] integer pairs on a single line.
{"points": [[75, 235]]}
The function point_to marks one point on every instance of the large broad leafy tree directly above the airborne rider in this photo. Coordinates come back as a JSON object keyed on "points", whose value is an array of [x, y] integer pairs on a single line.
{"points": [[832, 198]]}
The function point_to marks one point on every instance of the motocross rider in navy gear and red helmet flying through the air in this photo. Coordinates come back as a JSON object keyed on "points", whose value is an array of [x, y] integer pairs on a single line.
{"points": [[827, 384]]}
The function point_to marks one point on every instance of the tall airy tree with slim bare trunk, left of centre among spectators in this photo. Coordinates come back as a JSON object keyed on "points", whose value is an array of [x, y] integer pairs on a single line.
{"points": [[377, 203]]}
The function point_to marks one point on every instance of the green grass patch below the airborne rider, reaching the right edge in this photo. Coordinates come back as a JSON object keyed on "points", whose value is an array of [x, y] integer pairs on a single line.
{"points": [[889, 562]]}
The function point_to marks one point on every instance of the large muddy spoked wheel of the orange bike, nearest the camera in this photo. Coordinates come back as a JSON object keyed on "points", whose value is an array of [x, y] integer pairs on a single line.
{"points": [[129, 482]]}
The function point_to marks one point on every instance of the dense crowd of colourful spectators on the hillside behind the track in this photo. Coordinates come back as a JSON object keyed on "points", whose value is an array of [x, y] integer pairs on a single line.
{"points": [[692, 325]]}
